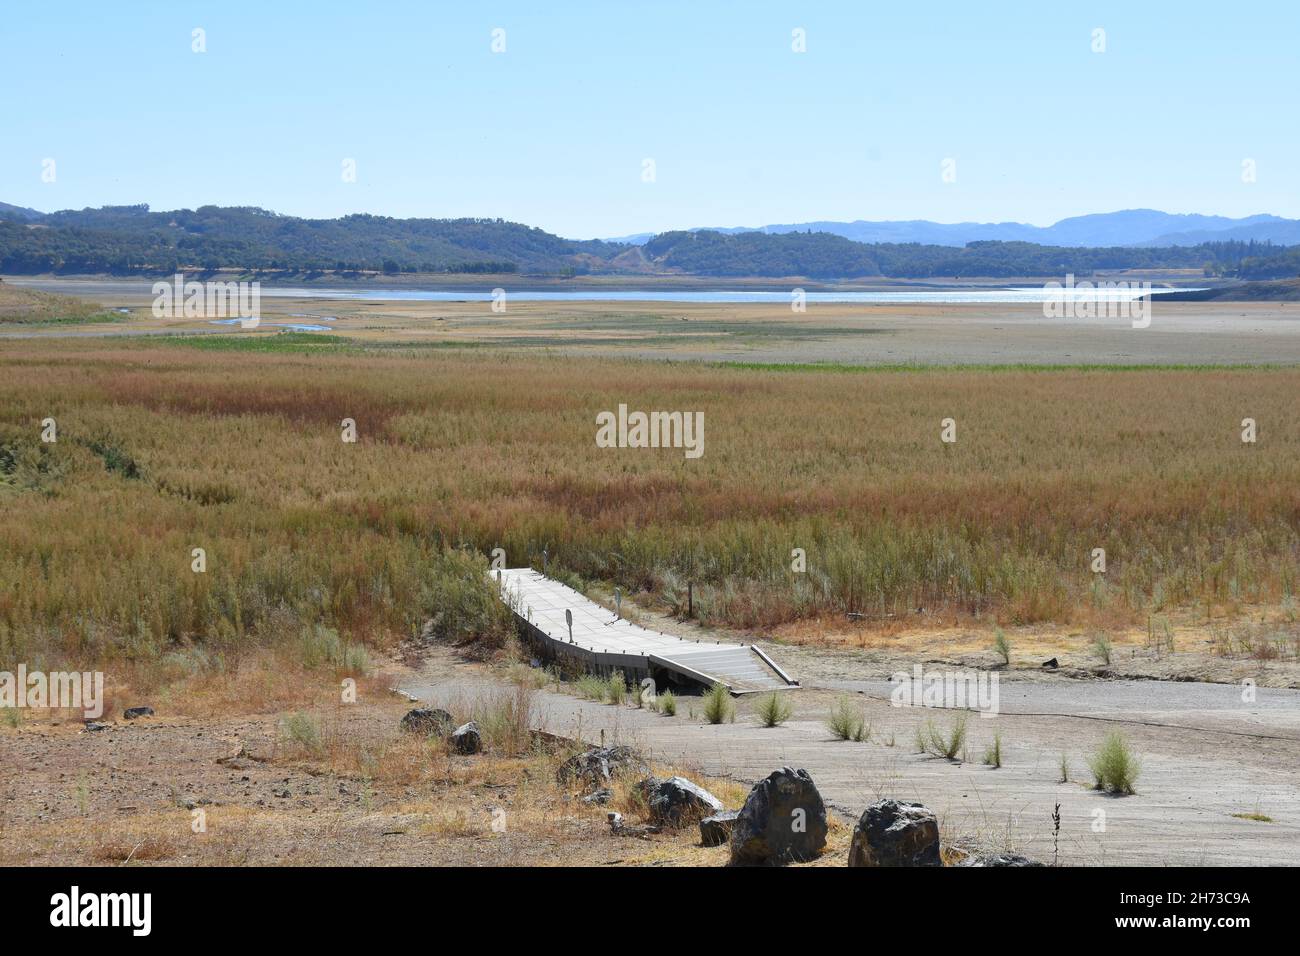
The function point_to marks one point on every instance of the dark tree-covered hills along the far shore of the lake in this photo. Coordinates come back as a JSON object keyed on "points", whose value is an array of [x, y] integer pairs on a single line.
{"points": [[135, 240]]}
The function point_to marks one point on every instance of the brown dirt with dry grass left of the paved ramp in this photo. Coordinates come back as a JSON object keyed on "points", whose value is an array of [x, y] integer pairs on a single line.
{"points": [[366, 795]]}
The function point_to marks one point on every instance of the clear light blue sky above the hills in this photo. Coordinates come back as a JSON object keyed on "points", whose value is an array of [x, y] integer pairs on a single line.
{"points": [[743, 131]]}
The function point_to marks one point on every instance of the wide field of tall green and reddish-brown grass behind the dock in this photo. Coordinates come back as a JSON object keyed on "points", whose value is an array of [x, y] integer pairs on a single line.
{"points": [[323, 547]]}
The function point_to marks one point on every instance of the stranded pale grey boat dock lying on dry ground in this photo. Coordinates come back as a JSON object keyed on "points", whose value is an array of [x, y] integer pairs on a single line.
{"points": [[603, 643]]}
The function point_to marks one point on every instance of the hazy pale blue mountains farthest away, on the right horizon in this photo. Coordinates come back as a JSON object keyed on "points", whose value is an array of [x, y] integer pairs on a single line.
{"points": [[1124, 228]]}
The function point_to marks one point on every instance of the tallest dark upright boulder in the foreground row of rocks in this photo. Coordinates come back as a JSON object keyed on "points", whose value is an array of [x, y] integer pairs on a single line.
{"points": [[783, 820]]}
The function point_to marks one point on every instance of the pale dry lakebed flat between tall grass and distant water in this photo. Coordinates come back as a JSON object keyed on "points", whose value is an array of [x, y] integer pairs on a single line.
{"points": [[856, 335]]}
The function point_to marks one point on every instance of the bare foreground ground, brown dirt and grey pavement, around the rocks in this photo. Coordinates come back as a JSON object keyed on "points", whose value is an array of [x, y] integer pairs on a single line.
{"points": [[1220, 780]]}
